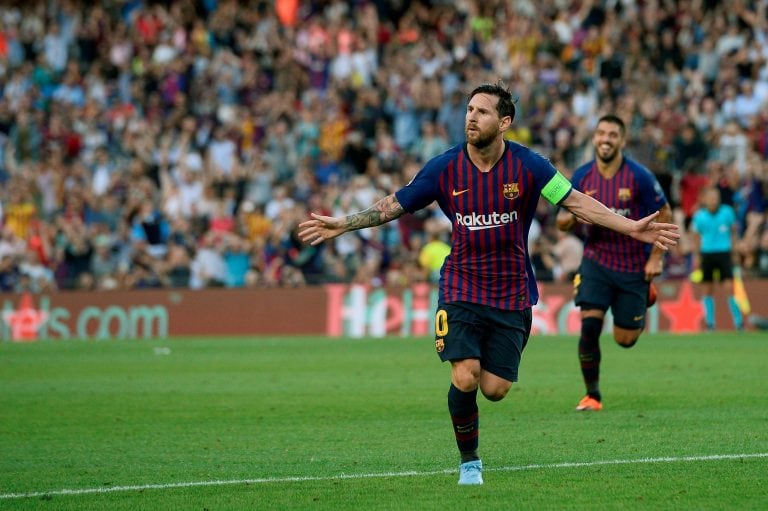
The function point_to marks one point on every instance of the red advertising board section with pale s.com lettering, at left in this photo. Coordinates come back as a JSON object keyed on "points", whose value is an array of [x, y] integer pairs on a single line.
{"points": [[162, 314]]}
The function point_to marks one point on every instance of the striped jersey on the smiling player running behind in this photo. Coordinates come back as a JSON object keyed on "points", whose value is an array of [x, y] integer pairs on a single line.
{"points": [[634, 193]]}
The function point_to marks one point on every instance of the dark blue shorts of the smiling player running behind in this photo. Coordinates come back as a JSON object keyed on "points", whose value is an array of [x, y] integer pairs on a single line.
{"points": [[626, 294]]}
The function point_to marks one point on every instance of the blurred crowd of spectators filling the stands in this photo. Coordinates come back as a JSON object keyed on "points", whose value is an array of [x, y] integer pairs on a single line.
{"points": [[179, 143]]}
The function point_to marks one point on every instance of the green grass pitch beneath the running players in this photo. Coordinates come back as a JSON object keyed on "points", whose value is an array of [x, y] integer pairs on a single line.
{"points": [[89, 415]]}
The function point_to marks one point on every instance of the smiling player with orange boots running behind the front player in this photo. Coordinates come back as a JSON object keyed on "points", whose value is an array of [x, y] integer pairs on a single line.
{"points": [[616, 271]]}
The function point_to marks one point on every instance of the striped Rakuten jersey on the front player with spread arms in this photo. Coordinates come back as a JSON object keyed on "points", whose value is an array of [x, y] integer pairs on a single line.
{"points": [[491, 214]]}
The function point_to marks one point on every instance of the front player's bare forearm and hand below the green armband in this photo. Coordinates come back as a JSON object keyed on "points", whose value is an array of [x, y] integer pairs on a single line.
{"points": [[660, 234]]}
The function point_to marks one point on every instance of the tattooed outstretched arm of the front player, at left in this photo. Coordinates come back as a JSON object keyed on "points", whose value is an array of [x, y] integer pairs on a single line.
{"points": [[322, 228]]}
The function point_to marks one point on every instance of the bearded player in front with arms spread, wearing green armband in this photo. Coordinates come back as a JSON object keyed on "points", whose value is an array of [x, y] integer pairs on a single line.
{"points": [[489, 188]]}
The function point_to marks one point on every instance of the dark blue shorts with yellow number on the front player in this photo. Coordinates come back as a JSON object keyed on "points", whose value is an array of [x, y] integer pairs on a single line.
{"points": [[496, 337]]}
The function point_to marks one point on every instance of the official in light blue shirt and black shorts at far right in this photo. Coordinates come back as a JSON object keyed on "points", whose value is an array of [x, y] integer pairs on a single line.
{"points": [[714, 230]]}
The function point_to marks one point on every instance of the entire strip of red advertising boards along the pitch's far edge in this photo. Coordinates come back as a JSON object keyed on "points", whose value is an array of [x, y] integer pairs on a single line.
{"points": [[332, 310]]}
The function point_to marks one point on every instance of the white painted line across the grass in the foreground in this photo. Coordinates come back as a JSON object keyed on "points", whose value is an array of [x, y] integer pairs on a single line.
{"points": [[410, 473]]}
